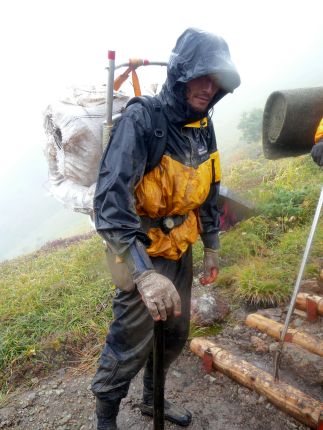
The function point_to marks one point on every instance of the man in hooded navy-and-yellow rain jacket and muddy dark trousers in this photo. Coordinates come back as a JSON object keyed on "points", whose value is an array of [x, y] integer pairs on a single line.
{"points": [[151, 219]]}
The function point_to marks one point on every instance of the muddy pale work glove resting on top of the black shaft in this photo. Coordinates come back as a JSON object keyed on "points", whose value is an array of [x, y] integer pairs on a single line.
{"points": [[159, 295]]}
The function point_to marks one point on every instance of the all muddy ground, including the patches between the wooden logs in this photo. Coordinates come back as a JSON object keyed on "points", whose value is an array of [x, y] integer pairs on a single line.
{"points": [[63, 400]]}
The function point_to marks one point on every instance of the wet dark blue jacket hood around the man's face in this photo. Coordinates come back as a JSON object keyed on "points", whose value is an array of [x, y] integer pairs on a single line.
{"points": [[196, 53]]}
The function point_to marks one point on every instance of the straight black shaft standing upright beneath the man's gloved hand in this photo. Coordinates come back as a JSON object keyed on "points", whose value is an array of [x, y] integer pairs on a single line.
{"points": [[158, 375]]}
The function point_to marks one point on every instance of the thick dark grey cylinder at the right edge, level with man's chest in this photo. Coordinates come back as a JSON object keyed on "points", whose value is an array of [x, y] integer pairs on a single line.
{"points": [[290, 120]]}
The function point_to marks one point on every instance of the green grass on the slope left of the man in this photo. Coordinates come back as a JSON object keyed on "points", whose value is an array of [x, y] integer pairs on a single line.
{"points": [[51, 304]]}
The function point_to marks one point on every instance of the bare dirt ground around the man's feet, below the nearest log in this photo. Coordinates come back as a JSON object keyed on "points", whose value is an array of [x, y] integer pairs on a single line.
{"points": [[64, 402]]}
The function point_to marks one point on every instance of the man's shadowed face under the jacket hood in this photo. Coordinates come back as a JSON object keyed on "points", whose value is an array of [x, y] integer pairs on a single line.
{"points": [[200, 92]]}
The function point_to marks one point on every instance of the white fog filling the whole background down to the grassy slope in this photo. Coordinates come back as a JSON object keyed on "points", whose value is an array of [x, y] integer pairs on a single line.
{"points": [[49, 45]]}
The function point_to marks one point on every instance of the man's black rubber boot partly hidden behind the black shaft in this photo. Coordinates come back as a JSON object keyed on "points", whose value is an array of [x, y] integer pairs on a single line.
{"points": [[175, 414]]}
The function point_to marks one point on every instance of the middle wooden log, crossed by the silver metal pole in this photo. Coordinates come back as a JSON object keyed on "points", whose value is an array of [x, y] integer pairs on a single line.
{"points": [[274, 329]]}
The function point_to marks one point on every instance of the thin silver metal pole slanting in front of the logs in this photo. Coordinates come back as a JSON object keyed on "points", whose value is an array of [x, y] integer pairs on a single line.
{"points": [[297, 286]]}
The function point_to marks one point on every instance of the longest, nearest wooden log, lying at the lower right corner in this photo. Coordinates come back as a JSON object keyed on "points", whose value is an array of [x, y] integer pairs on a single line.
{"points": [[291, 400]]}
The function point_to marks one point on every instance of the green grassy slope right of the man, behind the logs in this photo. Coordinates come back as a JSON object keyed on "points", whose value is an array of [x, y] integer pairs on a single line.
{"points": [[262, 255]]}
